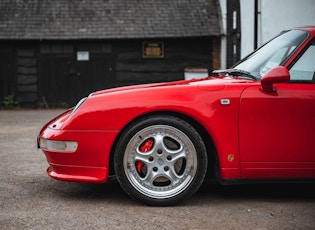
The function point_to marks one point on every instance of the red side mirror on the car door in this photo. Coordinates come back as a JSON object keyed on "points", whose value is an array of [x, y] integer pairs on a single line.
{"points": [[278, 74]]}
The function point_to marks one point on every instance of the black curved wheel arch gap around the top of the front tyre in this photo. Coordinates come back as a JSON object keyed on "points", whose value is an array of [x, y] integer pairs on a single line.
{"points": [[213, 164]]}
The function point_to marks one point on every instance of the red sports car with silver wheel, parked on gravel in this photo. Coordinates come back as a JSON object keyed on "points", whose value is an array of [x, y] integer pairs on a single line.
{"points": [[254, 122]]}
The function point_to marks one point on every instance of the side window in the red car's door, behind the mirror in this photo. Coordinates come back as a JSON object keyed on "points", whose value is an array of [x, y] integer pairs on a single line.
{"points": [[304, 68]]}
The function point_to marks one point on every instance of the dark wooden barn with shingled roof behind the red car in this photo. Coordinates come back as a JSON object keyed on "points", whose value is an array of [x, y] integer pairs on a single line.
{"points": [[54, 52]]}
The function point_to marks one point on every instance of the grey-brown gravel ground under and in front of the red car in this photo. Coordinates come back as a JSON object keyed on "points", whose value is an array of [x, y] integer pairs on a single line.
{"points": [[29, 199]]}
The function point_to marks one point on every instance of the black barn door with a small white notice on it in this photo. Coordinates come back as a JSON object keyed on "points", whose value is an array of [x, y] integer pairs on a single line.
{"points": [[65, 77]]}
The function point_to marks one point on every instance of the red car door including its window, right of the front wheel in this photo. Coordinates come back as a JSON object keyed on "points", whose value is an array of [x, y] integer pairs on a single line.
{"points": [[277, 130]]}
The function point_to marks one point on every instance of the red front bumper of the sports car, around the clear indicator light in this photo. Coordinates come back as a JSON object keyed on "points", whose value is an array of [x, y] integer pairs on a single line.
{"points": [[88, 162]]}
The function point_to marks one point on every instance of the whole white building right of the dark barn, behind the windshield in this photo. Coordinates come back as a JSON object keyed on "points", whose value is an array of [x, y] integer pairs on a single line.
{"points": [[261, 20]]}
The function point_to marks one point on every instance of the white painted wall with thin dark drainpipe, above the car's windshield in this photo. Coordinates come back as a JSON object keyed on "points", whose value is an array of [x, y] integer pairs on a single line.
{"points": [[275, 16]]}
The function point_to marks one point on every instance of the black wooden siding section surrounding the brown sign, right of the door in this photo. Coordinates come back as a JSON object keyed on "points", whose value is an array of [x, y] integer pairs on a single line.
{"points": [[132, 68]]}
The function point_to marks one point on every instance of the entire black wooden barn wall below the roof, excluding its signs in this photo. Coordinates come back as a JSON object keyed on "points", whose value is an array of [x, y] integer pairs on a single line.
{"points": [[47, 73]]}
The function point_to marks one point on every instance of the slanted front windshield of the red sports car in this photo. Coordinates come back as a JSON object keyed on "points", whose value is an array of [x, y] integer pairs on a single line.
{"points": [[272, 54]]}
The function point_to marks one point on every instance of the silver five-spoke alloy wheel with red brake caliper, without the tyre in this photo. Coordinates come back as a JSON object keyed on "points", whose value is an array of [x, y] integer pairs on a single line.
{"points": [[160, 161]]}
